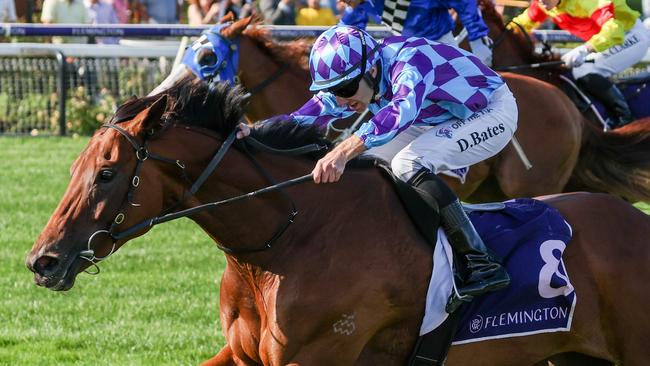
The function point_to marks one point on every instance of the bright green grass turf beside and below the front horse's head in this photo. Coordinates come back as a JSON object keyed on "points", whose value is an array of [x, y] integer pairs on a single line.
{"points": [[154, 303]]}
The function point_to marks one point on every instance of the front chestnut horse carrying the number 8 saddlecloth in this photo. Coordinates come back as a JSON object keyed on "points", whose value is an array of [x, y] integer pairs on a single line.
{"points": [[353, 254]]}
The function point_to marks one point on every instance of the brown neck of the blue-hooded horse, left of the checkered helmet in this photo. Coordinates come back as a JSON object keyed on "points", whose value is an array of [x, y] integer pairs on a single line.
{"points": [[284, 95]]}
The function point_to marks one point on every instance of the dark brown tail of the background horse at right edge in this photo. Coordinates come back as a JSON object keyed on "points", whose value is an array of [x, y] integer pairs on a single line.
{"points": [[617, 162]]}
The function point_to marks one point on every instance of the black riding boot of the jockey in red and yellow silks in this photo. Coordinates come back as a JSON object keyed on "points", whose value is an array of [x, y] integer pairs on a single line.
{"points": [[611, 97]]}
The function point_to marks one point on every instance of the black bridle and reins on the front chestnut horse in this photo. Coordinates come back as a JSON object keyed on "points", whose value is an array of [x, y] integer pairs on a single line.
{"points": [[143, 154]]}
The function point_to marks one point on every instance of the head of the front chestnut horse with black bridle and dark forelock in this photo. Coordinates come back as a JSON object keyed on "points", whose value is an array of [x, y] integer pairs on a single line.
{"points": [[133, 169]]}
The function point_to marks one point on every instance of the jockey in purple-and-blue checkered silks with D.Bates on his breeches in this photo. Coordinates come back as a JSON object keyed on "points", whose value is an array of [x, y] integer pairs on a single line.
{"points": [[436, 107]]}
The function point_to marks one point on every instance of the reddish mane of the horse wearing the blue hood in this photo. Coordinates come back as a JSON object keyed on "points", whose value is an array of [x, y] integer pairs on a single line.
{"points": [[295, 53]]}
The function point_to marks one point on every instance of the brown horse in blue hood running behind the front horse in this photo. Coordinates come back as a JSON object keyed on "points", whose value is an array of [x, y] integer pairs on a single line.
{"points": [[551, 129]]}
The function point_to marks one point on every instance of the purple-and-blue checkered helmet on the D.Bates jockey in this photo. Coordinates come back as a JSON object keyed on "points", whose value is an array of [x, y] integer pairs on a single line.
{"points": [[337, 51]]}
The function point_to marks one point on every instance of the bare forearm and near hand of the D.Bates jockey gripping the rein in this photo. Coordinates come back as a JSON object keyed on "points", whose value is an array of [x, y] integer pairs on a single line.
{"points": [[330, 168]]}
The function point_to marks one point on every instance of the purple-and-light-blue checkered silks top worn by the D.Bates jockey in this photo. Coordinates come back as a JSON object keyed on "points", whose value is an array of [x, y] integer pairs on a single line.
{"points": [[422, 82]]}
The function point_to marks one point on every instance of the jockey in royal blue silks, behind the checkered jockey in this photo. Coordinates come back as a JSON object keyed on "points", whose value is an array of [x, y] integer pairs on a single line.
{"points": [[428, 19]]}
